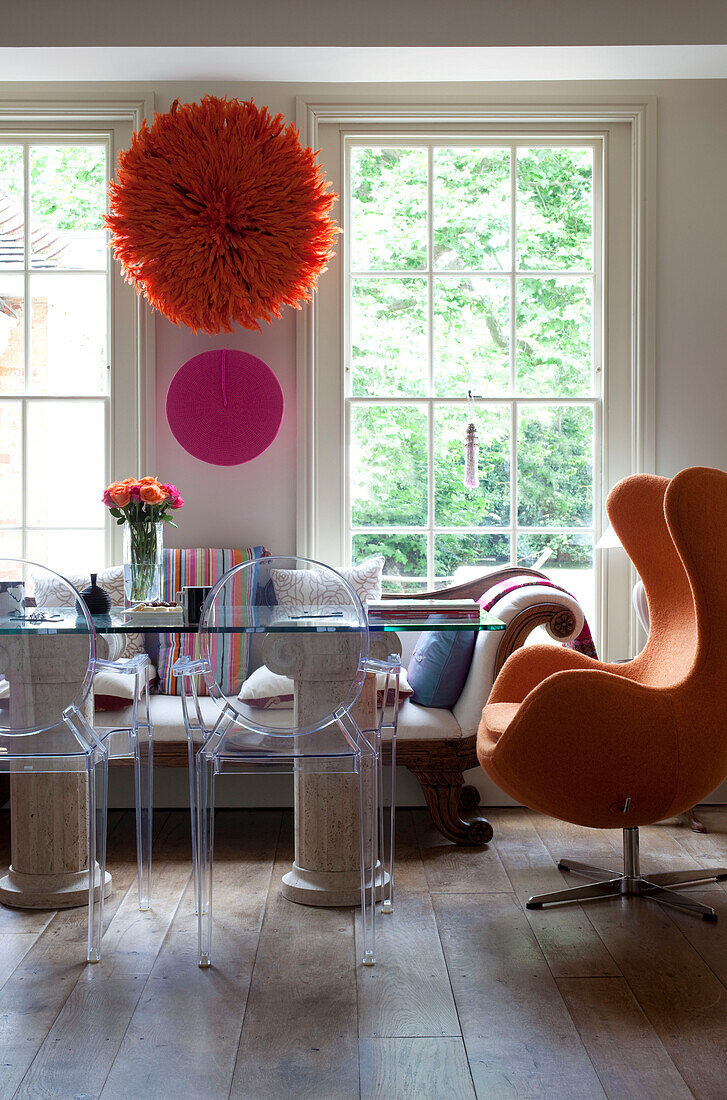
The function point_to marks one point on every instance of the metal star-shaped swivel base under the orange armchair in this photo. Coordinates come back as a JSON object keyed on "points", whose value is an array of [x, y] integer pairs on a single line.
{"points": [[630, 882]]}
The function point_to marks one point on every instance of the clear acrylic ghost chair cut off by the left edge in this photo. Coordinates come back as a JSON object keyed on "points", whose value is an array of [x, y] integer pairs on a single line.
{"points": [[47, 665]]}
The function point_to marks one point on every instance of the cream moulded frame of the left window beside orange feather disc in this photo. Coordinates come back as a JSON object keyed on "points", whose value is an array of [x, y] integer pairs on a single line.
{"points": [[130, 405]]}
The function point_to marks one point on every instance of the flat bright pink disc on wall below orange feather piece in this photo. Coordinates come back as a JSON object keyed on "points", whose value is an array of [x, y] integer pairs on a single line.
{"points": [[225, 408]]}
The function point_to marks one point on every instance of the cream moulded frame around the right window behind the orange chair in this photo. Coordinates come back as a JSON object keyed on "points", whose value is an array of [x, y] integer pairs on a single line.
{"points": [[626, 129]]}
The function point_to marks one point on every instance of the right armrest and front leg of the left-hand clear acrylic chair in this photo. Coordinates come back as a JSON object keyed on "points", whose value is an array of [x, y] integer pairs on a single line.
{"points": [[136, 742]]}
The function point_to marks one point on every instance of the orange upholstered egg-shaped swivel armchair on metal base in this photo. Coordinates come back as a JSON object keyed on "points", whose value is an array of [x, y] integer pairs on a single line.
{"points": [[618, 746]]}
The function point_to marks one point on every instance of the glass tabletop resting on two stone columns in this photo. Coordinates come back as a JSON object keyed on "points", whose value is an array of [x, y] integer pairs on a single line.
{"points": [[235, 621]]}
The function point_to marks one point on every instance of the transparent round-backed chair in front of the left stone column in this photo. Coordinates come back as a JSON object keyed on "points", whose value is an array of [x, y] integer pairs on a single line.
{"points": [[47, 672]]}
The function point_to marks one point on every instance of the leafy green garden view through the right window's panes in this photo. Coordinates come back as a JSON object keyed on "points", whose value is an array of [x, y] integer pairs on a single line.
{"points": [[473, 268]]}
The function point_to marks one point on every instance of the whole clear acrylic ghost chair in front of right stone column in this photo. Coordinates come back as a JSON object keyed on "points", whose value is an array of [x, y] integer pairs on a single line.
{"points": [[315, 630]]}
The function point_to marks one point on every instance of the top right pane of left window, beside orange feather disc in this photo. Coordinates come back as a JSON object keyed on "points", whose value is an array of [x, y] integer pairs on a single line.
{"points": [[69, 188]]}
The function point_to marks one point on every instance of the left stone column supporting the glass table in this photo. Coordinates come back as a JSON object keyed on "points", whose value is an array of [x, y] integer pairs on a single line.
{"points": [[49, 811]]}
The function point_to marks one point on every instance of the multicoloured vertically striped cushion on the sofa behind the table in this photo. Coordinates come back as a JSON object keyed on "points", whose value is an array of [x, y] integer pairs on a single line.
{"points": [[229, 654]]}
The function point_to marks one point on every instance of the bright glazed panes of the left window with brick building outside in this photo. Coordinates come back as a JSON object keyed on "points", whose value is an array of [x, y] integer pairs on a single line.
{"points": [[54, 350]]}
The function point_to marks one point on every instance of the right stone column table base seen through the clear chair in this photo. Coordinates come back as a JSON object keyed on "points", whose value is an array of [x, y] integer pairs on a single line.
{"points": [[326, 872]]}
